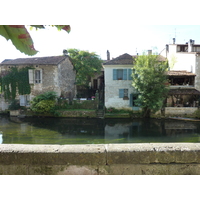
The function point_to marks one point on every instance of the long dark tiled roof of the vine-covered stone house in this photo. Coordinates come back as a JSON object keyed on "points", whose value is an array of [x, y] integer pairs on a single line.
{"points": [[53, 60]]}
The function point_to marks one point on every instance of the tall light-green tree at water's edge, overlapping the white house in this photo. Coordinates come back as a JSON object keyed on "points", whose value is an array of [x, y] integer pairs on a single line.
{"points": [[149, 78]]}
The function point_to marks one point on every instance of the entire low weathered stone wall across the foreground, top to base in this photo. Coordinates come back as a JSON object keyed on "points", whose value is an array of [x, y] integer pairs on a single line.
{"points": [[100, 159]]}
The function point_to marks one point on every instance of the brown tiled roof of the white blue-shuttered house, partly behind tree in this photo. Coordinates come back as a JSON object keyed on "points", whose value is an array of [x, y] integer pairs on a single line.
{"points": [[127, 59]]}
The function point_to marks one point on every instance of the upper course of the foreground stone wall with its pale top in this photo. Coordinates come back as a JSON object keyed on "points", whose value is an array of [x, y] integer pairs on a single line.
{"points": [[100, 154]]}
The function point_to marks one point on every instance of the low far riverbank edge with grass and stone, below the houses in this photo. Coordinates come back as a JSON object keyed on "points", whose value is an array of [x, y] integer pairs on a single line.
{"points": [[93, 113]]}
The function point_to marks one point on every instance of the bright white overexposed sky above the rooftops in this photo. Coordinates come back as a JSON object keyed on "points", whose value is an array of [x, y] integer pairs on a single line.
{"points": [[132, 39]]}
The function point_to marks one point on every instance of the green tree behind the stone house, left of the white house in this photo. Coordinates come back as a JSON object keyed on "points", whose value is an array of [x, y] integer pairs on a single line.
{"points": [[86, 65]]}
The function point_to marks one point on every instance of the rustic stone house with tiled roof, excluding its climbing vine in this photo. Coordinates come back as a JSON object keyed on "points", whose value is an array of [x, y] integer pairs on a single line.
{"points": [[55, 73]]}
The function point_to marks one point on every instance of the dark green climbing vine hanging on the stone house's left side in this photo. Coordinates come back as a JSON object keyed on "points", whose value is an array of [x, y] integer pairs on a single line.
{"points": [[15, 81]]}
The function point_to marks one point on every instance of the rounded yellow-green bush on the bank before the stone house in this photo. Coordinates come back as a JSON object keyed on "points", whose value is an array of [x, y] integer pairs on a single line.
{"points": [[44, 103]]}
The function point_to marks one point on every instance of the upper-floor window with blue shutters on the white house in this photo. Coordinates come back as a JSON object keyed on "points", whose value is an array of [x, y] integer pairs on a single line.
{"points": [[122, 74]]}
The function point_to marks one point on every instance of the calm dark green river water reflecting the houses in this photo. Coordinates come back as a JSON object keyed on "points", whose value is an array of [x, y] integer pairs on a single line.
{"points": [[95, 131]]}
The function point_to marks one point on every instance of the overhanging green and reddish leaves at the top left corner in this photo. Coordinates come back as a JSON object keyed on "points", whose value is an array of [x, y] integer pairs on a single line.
{"points": [[21, 38]]}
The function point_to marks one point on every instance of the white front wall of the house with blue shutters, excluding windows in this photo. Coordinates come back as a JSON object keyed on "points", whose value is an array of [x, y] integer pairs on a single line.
{"points": [[112, 88]]}
